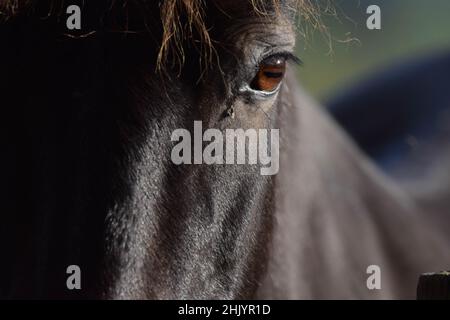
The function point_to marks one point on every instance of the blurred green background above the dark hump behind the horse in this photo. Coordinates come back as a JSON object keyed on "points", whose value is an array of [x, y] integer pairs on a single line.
{"points": [[410, 28]]}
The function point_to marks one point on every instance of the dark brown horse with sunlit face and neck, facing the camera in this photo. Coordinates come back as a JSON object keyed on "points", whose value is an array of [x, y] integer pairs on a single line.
{"points": [[88, 180]]}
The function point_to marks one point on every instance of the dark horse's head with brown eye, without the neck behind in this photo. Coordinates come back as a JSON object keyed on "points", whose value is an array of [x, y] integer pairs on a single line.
{"points": [[96, 167]]}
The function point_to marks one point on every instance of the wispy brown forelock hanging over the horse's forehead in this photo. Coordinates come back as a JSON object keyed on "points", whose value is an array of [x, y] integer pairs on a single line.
{"points": [[181, 20]]}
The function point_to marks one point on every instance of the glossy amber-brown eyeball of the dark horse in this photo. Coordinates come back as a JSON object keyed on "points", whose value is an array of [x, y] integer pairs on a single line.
{"points": [[269, 75]]}
